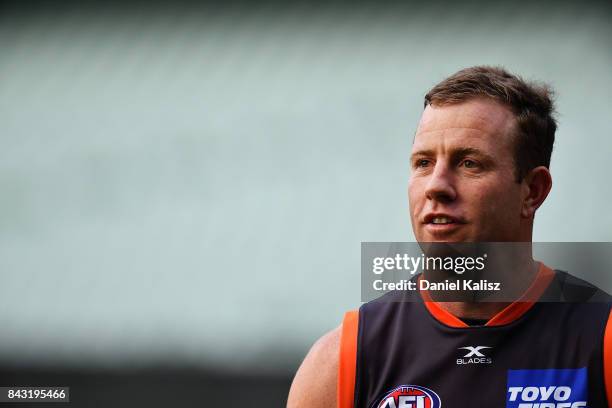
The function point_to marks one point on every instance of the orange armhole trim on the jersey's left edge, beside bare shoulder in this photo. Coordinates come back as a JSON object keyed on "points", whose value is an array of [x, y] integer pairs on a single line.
{"points": [[347, 364]]}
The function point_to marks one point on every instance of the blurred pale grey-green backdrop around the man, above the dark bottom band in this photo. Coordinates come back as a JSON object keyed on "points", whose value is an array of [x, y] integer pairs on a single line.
{"points": [[190, 185]]}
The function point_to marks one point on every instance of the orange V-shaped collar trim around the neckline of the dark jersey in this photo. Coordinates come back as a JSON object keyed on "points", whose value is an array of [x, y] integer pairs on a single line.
{"points": [[507, 315]]}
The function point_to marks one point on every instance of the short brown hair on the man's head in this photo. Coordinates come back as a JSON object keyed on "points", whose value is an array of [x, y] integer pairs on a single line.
{"points": [[531, 103]]}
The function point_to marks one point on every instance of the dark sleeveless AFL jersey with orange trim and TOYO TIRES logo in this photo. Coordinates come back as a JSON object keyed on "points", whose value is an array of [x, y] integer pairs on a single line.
{"points": [[414, 354]]}
